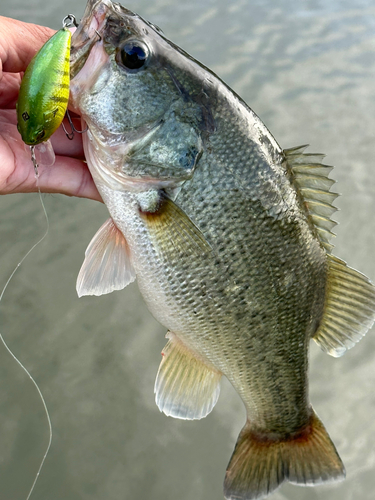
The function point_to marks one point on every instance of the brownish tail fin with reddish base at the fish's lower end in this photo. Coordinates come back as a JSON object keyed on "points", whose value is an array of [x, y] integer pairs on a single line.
{"points": [[258, 465]]}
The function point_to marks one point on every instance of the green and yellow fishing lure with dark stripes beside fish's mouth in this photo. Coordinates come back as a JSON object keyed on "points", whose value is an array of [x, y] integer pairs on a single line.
{"points": [[44, 91]]}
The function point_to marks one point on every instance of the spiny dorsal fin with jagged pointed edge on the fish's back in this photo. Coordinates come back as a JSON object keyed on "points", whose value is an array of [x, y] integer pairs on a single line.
{"points": [[310, 176]]}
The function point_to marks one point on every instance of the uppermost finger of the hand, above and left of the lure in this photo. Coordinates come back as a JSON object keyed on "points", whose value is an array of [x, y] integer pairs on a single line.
{"points": [[19, 42]]}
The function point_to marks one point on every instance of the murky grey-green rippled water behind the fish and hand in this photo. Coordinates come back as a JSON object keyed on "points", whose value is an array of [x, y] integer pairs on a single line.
{"points": [[308, 70]]}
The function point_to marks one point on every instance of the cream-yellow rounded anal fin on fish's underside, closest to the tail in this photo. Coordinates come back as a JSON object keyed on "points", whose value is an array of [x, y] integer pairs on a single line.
{"points": [[185, 387]]}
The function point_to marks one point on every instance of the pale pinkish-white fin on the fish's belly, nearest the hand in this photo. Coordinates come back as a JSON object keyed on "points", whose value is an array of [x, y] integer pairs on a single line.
{"points": [[107, 266]]}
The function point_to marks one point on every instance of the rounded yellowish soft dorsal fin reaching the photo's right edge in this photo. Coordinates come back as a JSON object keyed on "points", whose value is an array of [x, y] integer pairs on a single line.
{"points": [[349, 308]]}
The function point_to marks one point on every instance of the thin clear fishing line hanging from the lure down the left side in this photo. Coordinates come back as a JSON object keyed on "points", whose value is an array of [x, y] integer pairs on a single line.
{"points": [[1, 337]]}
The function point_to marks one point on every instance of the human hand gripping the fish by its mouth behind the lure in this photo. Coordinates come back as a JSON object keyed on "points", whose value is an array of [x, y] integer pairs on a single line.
{"points": [[69, 175]]}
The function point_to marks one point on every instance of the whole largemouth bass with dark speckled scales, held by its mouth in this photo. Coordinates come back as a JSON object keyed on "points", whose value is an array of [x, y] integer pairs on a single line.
{"points": [[229, 238]]}
